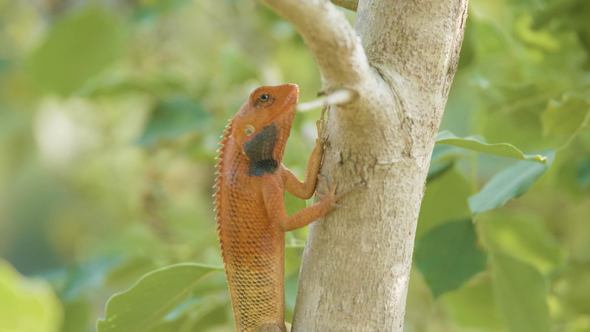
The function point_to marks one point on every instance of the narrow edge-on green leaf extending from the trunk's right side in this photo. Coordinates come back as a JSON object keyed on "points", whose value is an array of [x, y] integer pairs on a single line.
{"points": [[478, 144]]}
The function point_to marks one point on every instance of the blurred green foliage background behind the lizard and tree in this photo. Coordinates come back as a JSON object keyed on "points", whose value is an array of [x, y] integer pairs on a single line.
{"points": [[110, 112]]}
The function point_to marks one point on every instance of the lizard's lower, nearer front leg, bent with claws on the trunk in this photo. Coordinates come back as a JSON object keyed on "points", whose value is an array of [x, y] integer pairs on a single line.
{"points": [[272, 193]]}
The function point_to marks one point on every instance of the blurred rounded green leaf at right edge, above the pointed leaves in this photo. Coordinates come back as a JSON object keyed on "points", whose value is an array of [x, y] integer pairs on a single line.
{"points": [[565, 116]]}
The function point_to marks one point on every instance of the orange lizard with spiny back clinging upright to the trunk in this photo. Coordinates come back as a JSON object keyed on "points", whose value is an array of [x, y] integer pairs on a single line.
{"points": [[250, 211]]}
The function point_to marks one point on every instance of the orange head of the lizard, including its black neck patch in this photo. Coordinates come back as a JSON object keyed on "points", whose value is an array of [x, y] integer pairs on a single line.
{"points": [[262, 125]]}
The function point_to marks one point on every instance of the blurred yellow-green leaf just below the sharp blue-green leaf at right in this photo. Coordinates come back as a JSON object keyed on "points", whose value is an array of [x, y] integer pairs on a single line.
{"points": [[523, 237]]}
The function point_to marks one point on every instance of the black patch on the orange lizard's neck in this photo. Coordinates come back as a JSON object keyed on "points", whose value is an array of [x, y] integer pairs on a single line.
{"points": [[260, 149]]}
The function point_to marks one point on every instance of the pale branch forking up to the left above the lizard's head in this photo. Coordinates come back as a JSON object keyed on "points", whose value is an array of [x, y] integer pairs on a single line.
{"points": [[332, 40]]}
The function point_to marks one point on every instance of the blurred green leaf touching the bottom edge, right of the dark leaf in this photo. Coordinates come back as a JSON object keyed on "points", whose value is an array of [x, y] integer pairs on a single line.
{"points": [[521, 294]]}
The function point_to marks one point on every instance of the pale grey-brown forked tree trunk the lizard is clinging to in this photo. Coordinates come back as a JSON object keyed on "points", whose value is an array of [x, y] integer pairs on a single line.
{"points": [[400, 60]]}
